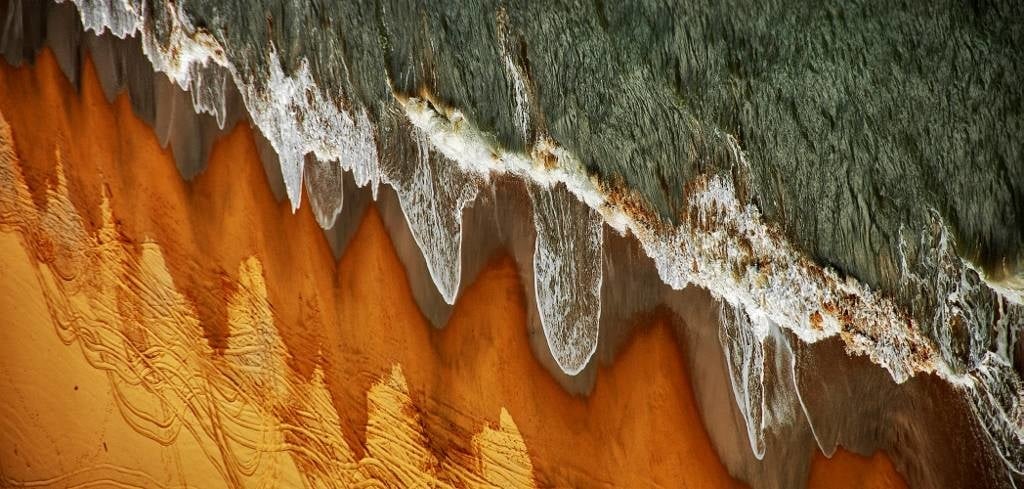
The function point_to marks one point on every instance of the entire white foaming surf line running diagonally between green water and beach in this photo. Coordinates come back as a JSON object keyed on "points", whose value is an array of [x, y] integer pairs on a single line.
{"points": [[722, 244]]}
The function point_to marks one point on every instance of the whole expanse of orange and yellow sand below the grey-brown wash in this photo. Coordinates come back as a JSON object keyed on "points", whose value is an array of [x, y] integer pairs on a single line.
{"points": [[343, 333]]}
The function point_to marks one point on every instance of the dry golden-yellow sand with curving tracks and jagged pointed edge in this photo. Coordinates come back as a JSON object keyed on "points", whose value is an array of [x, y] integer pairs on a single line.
{"points": [[241, 413]]}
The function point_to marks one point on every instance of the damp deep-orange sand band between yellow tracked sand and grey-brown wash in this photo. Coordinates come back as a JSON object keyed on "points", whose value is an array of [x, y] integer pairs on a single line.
{"points": [[186, 221]]}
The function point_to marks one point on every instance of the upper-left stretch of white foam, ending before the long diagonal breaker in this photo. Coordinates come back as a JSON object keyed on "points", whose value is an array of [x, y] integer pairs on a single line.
{"points": [[291, 112]]}
